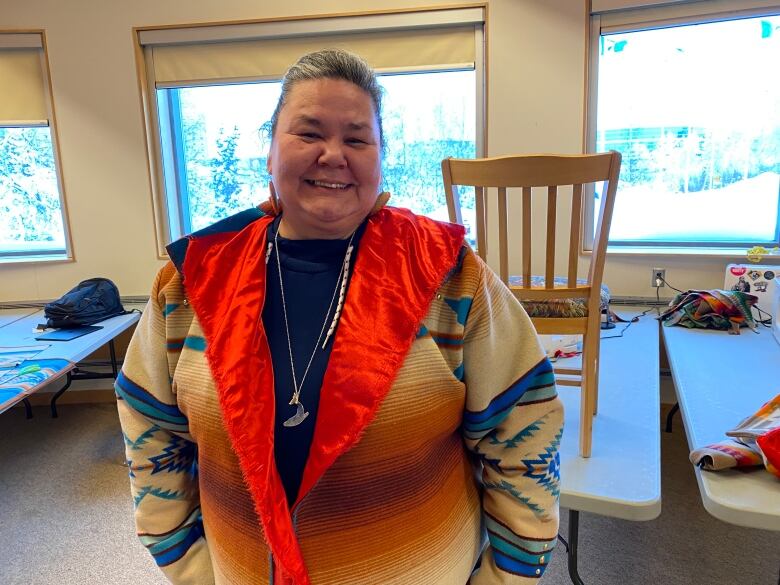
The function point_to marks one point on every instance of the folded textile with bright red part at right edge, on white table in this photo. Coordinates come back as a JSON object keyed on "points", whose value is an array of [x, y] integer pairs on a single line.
{"points": [[755, 441]]}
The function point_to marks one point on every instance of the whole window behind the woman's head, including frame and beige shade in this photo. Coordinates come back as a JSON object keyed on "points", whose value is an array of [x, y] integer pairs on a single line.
{"points": [[212, 120]]}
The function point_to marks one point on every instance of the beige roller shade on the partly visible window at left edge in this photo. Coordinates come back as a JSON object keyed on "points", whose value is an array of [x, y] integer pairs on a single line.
{"points": [[21, 77]]}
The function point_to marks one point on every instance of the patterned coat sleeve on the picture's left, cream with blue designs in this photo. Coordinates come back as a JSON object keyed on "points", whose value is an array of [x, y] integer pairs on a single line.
{"points": [[161, 456]]}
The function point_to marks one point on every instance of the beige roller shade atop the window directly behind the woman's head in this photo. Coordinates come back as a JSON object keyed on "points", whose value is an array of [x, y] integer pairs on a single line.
{"points": [[257, 51]]}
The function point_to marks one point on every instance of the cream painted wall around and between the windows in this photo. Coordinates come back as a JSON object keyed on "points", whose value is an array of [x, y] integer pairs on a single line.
{"points": [[536, 97]]}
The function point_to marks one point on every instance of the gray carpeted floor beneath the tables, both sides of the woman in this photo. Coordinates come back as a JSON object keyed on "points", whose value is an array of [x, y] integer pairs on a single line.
{"points": [[66, 517]]}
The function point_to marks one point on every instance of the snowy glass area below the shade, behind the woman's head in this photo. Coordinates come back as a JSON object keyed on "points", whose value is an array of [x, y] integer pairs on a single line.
{"points": [[218, 142]]}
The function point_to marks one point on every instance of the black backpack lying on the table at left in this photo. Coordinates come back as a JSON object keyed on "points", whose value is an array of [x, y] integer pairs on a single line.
{"points": [[88, 302]]}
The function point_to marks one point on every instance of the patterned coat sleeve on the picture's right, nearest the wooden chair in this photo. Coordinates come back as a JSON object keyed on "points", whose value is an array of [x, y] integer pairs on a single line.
{"points": [[513, 422]]}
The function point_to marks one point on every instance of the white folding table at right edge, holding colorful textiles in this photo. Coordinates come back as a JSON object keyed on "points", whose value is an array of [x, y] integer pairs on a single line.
{"points": [[721, 379]]}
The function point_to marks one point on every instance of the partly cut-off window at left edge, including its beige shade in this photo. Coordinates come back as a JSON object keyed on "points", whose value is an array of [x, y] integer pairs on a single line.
{"points": [[32, 223]]}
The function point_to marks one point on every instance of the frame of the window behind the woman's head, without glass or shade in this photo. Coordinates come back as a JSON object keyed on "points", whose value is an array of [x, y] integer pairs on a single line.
{"points": [[169, 212]]}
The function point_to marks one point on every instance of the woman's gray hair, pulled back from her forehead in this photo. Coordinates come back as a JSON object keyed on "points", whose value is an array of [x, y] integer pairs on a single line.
{"points": [[332, 64]]}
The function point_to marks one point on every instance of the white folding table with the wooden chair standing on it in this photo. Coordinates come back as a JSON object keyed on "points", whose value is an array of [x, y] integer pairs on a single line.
{"points": [[622, 477]]}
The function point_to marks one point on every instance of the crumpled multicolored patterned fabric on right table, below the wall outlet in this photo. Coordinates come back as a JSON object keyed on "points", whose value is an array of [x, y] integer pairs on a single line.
{"points": [[711, 309]]}
